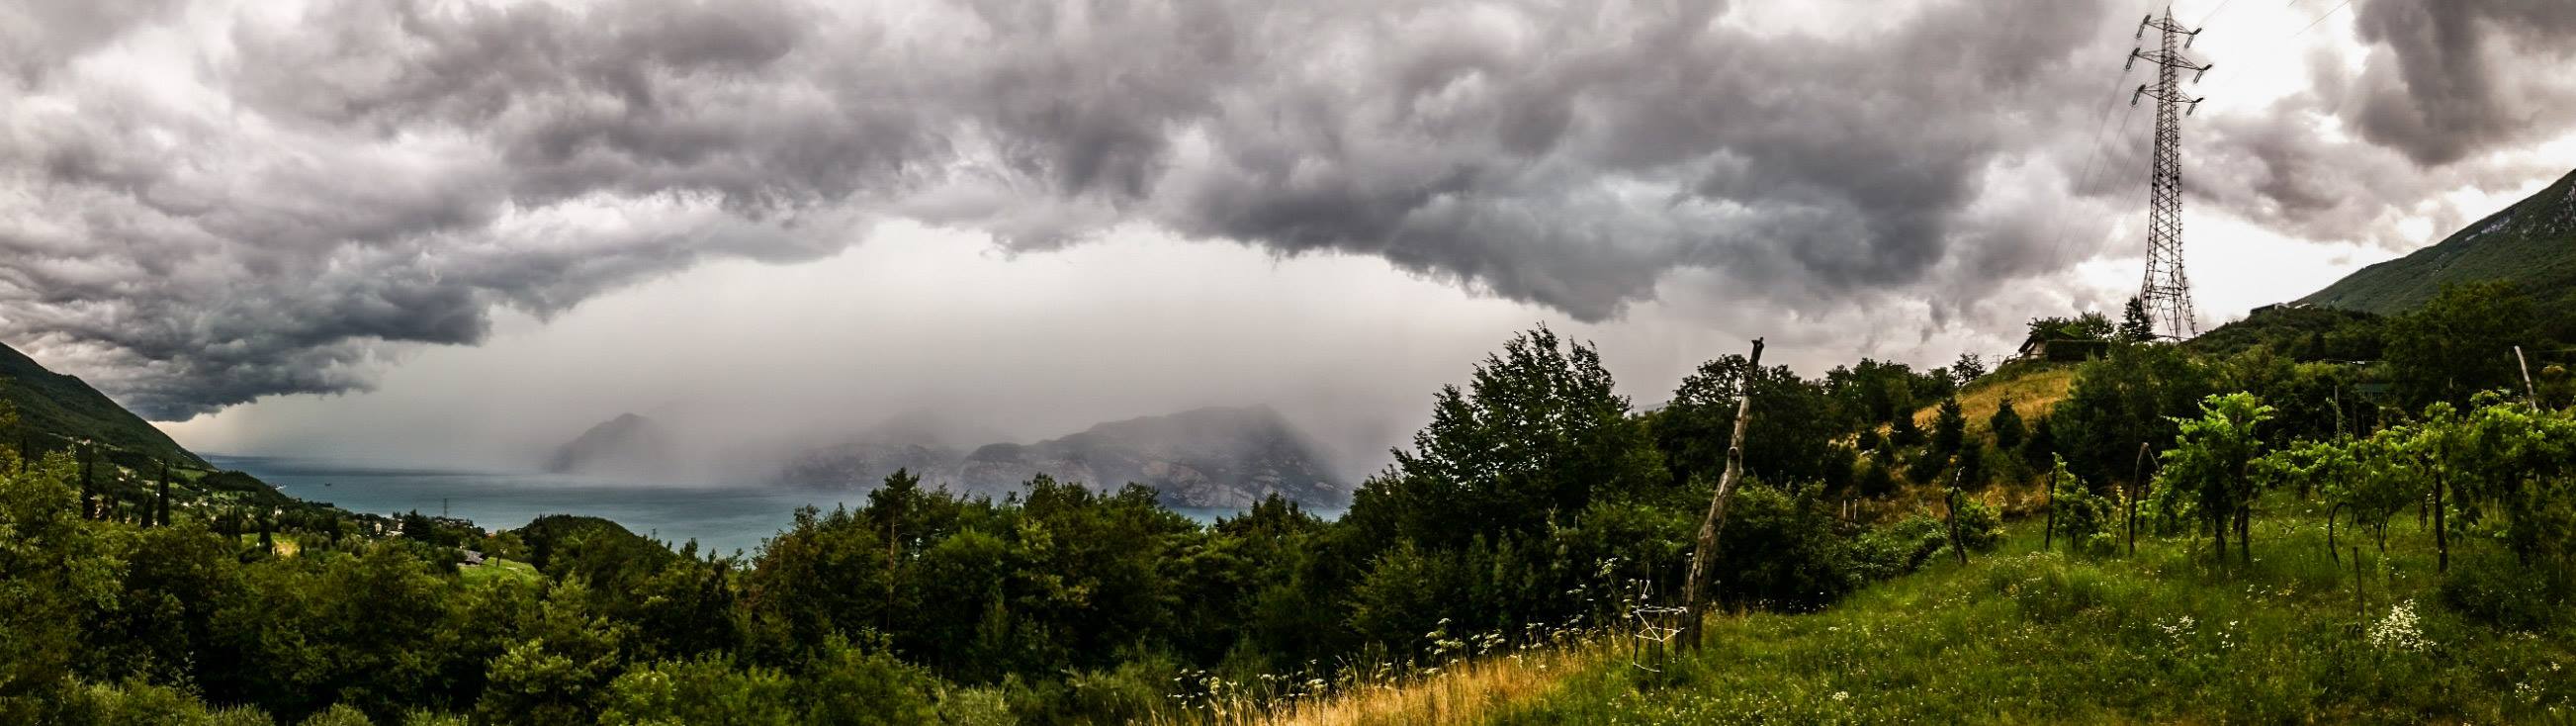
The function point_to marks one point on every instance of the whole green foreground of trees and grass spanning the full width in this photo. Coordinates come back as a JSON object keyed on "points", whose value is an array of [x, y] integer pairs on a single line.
{"points": [[2170, 534]]}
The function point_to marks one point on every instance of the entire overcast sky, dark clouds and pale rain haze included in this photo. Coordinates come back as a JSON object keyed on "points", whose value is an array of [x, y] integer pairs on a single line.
{"points": [[470, 230]]}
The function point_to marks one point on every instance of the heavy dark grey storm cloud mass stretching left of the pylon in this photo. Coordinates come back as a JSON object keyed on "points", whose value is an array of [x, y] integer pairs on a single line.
{"points": [[202, 210]]}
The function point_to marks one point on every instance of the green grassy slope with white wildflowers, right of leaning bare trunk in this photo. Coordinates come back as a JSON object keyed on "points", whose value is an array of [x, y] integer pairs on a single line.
{"points": [[2049, 640]]}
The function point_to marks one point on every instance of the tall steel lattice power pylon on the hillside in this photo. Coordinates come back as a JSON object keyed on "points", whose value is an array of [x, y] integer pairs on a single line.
{"points": [[2168, 295]]}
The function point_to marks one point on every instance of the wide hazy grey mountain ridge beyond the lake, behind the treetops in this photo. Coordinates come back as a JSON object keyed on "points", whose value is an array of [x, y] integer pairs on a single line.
{"points": [[1215, 457]]}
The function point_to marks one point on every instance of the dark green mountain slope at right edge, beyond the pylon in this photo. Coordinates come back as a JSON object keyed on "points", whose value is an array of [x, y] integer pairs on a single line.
{"points": [[2531, 243]]}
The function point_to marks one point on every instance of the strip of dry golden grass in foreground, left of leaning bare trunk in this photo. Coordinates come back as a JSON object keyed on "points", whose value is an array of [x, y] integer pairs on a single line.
{"points": [[1470, 691]]}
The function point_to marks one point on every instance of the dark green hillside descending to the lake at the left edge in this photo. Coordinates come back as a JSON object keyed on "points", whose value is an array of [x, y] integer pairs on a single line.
{"points": [[61, 408]]}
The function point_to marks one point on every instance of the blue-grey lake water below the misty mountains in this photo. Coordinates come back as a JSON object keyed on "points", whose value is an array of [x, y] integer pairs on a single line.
{"points": [[720, 516]]}
